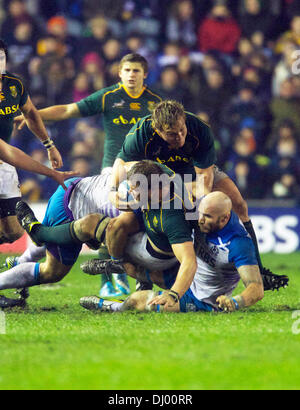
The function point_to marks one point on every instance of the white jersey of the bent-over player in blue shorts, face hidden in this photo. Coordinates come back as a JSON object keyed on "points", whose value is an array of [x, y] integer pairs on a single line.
{"points": [[90, 196]]}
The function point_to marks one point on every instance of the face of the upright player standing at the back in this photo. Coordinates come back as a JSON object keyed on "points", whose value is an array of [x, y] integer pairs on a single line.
{"points": [[132, 76]]}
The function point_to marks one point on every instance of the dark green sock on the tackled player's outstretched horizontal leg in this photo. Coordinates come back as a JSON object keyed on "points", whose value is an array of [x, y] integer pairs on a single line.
{"points": [[60, 234]]}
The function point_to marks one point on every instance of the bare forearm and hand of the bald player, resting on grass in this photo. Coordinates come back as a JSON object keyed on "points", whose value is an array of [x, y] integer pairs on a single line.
{"points": [[254, 291]]}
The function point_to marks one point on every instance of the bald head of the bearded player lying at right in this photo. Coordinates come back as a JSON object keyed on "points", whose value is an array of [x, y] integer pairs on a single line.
{"points": [[214, 211]]}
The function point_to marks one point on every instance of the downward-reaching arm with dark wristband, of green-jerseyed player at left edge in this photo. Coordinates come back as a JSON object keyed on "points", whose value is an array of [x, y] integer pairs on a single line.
{"points": [[36, 125]]}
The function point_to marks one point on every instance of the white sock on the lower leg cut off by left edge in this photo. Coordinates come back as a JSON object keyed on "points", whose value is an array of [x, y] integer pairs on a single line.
{"points": [[21, 276]]}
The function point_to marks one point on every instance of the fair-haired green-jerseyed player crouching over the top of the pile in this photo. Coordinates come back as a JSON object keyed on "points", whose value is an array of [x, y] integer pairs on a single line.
{"points": [[184, 143]]}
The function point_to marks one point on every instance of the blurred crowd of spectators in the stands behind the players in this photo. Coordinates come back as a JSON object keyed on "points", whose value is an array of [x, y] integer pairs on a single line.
{"points": [[232, 63]]}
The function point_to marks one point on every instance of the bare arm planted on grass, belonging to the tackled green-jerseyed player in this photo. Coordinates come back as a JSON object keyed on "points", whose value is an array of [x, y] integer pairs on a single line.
{"points": [[185, 254]]}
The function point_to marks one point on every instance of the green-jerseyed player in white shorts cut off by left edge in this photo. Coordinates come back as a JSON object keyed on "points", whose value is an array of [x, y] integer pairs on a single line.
{"points": [[14, 97]]}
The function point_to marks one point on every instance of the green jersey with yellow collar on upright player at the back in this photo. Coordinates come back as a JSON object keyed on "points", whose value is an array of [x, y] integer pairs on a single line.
{"points": [[120, 112]]}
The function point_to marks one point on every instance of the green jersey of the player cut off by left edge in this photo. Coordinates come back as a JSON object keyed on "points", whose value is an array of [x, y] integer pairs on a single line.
{"points": [[12, 97]]}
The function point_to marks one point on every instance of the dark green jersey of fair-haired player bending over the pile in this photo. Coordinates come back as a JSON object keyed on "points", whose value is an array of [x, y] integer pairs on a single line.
{"points": [[143, 142]]}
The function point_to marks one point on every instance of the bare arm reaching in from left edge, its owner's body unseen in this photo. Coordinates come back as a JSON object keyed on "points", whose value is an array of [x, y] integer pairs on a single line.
{"points": [[19, 159]]}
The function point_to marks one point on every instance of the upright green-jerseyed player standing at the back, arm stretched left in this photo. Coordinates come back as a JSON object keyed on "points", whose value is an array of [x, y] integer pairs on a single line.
{"points": [[122, 106]]}
